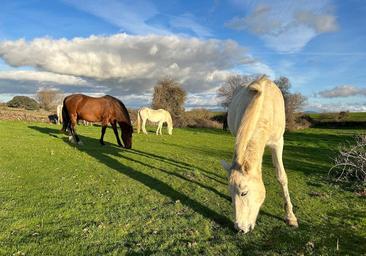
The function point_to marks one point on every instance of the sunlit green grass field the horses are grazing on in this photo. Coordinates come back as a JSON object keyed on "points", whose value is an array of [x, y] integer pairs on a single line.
{"points": [[167, 196]]}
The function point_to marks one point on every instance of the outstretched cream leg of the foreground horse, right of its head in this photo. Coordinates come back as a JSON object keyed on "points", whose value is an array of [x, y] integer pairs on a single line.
{"points": [[277, 151]]}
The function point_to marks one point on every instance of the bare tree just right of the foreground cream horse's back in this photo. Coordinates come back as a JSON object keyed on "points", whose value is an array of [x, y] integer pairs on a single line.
{"points": [[293, 101]]}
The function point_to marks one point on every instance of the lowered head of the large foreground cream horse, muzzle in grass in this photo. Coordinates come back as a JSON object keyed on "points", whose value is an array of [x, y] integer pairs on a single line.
{"points": [[247, 195]]}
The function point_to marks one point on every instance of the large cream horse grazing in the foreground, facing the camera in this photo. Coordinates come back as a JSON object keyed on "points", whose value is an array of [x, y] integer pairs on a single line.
{"points": [[256, 116]]}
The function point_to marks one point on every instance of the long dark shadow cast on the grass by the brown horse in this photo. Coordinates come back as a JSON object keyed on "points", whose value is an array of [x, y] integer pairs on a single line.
{"points": [[103, 154]]}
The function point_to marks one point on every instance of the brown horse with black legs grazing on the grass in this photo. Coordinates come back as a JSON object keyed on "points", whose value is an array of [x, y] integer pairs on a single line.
{"points": [[106, 109]]}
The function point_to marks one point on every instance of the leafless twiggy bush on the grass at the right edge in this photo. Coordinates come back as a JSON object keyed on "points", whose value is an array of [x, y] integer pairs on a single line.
{"points": [[350, 163]]}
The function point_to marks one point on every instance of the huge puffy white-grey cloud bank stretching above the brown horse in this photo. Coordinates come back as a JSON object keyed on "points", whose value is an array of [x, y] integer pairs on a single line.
{"points": [[129, 64]]}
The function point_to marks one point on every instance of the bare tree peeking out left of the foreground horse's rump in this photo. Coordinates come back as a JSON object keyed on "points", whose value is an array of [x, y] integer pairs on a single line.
{"points": [[227, 90]]}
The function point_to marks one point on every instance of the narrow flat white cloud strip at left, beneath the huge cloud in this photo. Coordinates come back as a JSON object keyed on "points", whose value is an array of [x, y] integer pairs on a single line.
{"points": [[41, 77]]}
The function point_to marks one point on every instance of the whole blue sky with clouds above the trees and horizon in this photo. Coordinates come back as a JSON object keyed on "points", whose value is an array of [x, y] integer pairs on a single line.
{"points": [[122, 48]]}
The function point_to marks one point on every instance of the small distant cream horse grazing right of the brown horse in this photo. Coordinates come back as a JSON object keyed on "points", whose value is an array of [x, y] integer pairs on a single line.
{"points": [[161, 116]]}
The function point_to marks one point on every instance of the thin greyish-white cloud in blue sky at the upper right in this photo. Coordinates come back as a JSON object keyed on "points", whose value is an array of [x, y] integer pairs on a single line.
{"points": [[287, 26]]}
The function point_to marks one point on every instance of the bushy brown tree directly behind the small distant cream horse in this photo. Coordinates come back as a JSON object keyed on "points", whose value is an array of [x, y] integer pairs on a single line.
{"points": [[169, 95]]}
